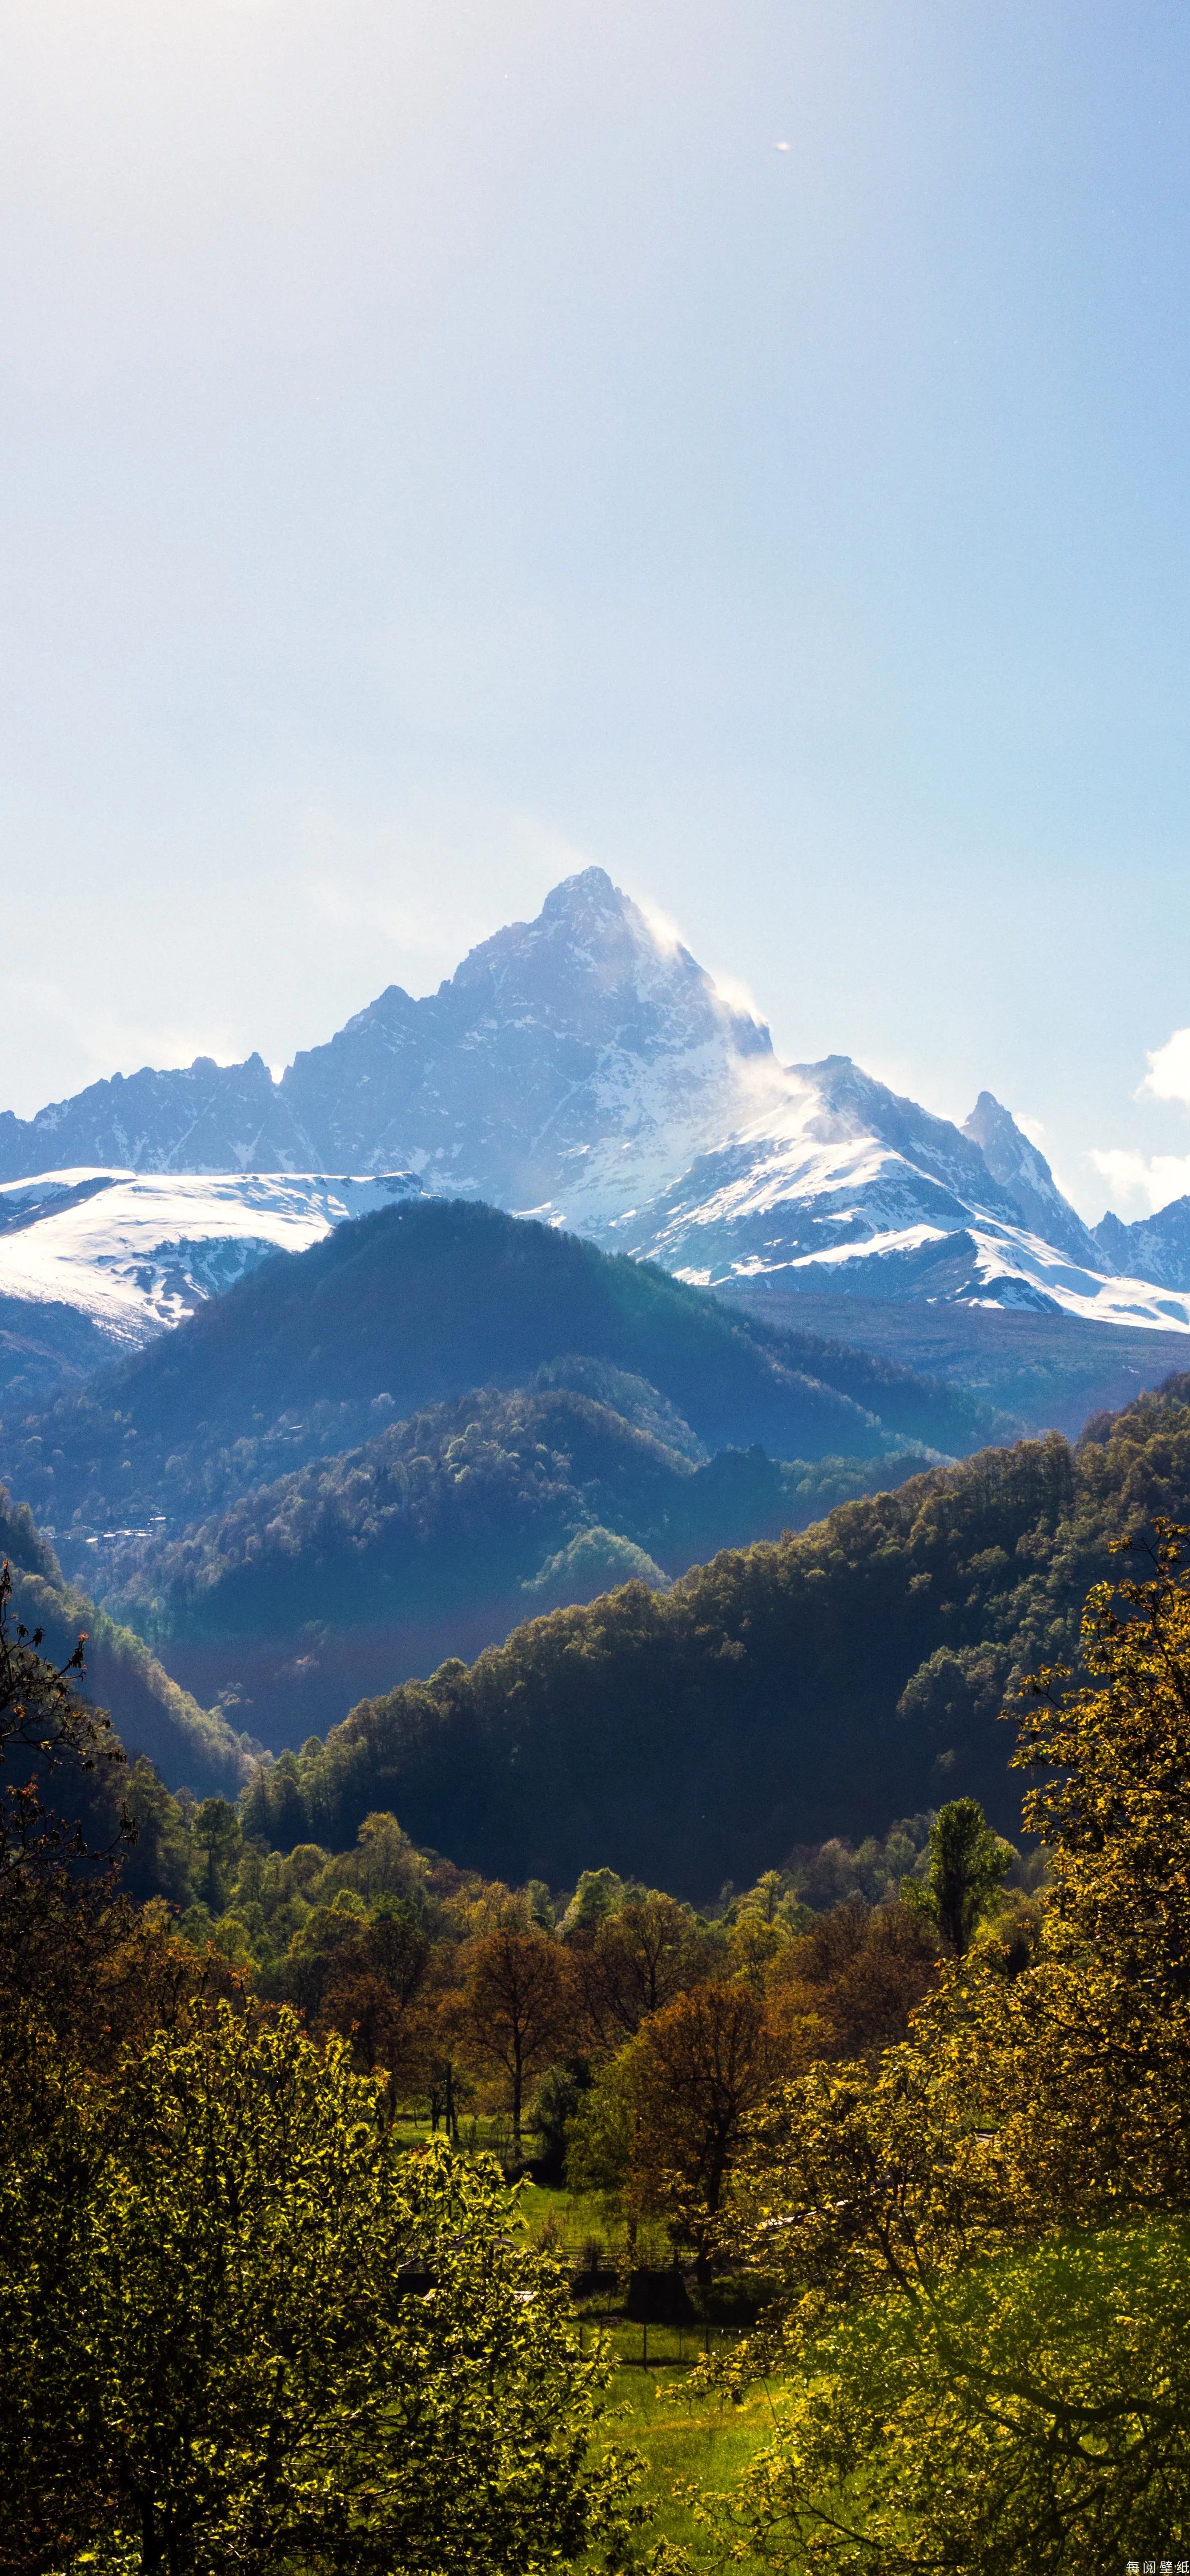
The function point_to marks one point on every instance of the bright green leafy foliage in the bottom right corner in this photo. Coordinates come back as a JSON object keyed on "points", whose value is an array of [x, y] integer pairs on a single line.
{"points": [[1032, 2415]]}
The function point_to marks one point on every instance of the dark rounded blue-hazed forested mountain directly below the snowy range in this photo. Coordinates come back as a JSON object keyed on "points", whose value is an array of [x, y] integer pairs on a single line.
{"points": [[413, 1307]]}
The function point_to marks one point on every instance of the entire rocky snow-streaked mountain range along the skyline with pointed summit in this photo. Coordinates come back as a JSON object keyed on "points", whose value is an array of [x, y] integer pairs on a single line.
{"points": [[583, 1068]]}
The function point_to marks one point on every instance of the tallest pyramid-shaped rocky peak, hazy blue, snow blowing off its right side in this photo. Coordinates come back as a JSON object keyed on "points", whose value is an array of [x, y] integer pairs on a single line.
{"points": [[571, 1065]]}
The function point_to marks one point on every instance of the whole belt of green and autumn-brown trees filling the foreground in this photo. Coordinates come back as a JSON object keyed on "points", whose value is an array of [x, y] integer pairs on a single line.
{"points": [[939, 2126]]}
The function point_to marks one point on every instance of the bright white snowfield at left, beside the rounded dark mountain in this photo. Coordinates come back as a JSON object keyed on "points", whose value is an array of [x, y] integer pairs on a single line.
{"points": [[140, 1251]]}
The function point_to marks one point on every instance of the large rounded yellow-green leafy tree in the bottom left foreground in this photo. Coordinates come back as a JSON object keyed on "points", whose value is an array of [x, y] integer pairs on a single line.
{"points": [[272, 2343]]}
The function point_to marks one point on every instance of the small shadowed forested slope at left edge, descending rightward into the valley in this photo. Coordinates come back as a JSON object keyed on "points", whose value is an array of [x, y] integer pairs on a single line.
{"points": [[151, 1712]]}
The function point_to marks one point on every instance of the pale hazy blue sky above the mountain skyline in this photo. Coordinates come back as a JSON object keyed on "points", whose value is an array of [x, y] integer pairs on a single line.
{"points": [[452, 442]]}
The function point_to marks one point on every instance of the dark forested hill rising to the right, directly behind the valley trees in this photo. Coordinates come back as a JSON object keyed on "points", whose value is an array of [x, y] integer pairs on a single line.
{"points": [[774, 1696]]}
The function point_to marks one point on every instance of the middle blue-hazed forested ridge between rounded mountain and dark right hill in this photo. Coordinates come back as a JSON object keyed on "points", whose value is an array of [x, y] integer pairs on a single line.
{"points": [[444, 1534]]}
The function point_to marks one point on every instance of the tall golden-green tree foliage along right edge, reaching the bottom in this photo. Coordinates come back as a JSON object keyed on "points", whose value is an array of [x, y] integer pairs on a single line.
{"points": [[983, 2242]]}
